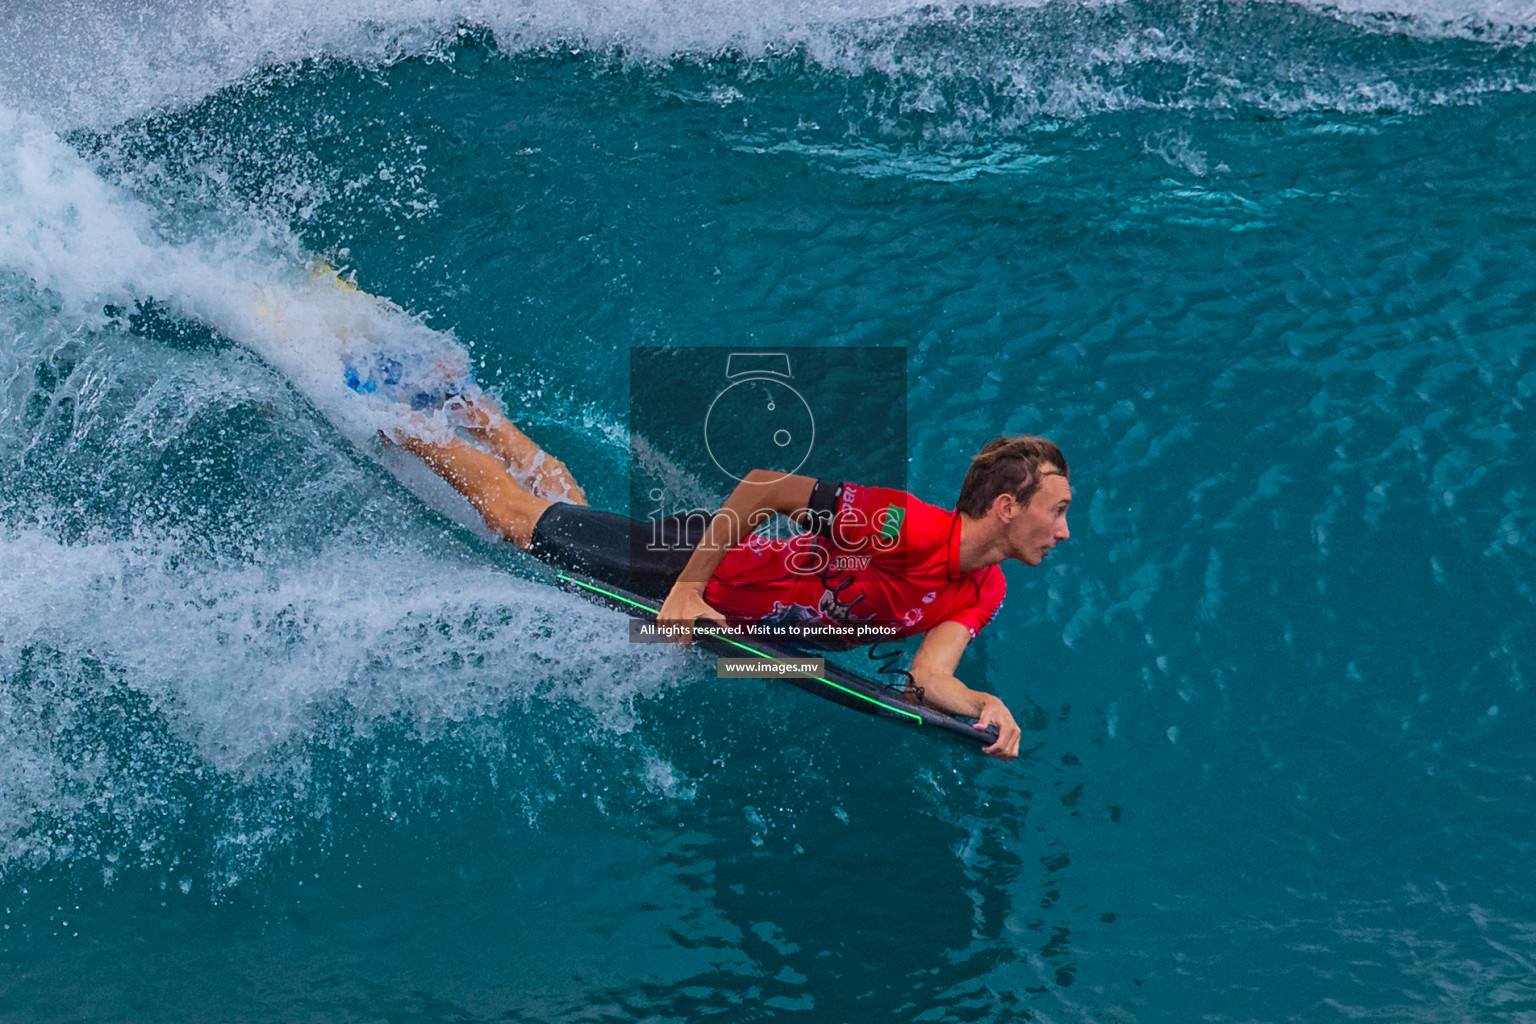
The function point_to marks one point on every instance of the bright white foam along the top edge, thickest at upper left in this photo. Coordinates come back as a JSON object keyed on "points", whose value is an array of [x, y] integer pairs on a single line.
{"points": [[99, 62]]}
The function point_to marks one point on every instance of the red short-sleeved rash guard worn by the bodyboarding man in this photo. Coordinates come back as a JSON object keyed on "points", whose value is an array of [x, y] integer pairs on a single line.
{"points": [[882, 558]]}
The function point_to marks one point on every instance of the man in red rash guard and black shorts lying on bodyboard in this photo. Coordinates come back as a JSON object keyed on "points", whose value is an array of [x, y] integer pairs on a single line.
{"points": [[870, 558]]}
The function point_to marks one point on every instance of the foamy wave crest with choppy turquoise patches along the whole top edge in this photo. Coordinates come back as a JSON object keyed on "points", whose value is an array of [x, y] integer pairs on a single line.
{"points": [[93, 65]]}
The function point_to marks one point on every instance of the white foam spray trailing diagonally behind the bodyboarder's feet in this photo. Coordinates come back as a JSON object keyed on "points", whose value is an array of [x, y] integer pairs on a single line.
{"points": [[91, 246]]}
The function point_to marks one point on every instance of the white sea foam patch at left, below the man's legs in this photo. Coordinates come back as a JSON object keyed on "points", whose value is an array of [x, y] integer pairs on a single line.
{"points": [[248, 656]]}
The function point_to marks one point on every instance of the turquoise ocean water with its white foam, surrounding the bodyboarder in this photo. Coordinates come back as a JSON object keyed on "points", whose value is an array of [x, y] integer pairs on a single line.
{"points": [[280, 741]]}
